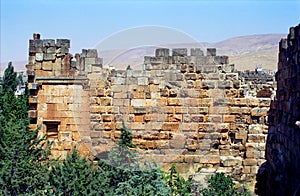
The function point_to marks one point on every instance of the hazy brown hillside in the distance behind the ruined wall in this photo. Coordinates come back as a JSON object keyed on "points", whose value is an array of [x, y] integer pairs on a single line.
{"points": [[245, 52]]}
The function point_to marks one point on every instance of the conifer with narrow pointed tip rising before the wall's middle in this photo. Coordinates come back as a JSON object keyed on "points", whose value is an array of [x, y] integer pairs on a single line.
{"points": [[122, 173]]}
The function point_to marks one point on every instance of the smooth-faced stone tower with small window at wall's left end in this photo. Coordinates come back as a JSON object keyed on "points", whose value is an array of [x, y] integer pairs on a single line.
{"points": [[59, 99]]}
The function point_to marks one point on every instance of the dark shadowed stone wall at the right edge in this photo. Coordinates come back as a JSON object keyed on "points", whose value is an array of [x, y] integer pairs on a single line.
{"points": [[283, 143]]}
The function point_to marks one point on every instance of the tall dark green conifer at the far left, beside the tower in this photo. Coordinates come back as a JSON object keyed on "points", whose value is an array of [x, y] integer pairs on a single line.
{"points": [[22, 154]]}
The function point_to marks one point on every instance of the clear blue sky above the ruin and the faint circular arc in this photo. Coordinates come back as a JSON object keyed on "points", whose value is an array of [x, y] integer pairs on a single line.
{"points": [[88, 22]]}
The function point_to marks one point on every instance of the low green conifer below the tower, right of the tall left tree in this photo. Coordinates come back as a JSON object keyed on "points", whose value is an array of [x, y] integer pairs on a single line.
{"points": [[75, 175]]}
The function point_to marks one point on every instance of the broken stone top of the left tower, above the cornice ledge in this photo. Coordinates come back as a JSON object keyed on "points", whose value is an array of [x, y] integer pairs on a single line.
{"points": [[49, 57]]}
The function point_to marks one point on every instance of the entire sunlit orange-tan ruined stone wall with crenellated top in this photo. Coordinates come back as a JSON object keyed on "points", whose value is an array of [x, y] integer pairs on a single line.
{"points": [[193, 109]]}
